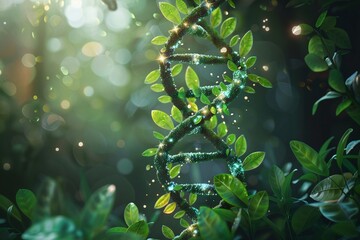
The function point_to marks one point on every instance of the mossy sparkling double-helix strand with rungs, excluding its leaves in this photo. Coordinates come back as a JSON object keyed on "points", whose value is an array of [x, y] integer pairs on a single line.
{"points": [[194, 122]]}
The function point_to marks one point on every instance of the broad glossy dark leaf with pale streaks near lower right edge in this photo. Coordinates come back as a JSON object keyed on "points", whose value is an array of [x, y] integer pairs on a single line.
{"points": [[329, 190]]}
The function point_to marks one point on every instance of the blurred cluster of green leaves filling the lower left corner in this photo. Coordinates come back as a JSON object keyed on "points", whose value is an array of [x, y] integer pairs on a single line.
{"points": [[91, 222]]}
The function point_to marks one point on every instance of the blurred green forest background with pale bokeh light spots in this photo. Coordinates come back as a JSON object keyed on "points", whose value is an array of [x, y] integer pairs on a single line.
{"points": [[73, 105]]}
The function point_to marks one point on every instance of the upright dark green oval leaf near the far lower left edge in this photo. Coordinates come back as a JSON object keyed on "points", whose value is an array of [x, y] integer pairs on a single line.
{"points": [[26, 201]]}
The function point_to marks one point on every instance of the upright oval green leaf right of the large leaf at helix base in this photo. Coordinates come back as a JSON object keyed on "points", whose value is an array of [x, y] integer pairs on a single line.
{"points": [[258, 205]]}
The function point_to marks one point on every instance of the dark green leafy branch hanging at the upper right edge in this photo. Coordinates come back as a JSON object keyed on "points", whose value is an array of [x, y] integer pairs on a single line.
{"points": [[327, 45]]}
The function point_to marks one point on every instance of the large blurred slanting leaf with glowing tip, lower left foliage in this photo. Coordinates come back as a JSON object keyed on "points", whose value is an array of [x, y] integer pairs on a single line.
{"points": [[97, 209]]}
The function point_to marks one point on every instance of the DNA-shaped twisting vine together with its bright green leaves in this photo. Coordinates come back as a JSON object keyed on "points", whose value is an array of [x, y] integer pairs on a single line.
{"points": [[216, 98]]}
